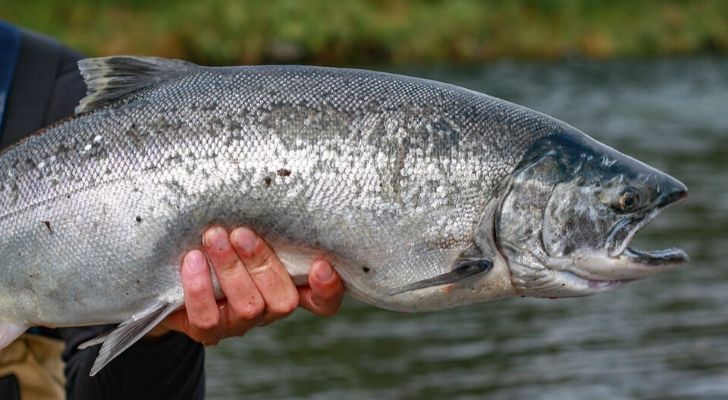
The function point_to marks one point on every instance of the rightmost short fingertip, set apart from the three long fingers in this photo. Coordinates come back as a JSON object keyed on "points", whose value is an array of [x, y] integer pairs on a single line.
{"points": [[325, 291]]}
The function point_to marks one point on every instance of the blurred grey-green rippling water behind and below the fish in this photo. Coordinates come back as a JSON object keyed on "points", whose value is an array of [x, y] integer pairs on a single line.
{"points": [[658, 339]]}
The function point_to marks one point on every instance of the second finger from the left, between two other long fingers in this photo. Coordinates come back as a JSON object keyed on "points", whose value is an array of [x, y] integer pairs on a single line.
{"points": [[245, 305]]}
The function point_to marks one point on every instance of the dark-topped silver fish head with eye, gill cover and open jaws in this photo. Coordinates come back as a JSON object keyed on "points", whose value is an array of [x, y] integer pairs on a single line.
{"points": [[571, 209]]}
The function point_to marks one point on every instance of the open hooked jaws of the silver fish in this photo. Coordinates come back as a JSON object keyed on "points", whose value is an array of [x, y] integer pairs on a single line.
{"points": [[625, 230]]}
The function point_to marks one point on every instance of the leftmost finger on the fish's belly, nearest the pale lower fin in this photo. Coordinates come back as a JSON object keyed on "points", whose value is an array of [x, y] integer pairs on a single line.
{"points": [[203, 316]]}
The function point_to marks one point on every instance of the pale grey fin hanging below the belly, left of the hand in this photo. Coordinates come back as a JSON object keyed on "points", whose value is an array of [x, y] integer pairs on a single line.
{"points": [[128, 332]]}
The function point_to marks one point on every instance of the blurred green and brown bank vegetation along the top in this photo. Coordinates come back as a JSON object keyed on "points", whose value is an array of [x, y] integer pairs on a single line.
{"points": [[367, 32]]}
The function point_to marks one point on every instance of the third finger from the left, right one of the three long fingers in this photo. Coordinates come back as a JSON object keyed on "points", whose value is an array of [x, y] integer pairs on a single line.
{"points": [[270, 277]]}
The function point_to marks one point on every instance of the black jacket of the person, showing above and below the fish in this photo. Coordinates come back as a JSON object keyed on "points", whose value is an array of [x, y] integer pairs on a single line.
{"points": [[46, 87]]}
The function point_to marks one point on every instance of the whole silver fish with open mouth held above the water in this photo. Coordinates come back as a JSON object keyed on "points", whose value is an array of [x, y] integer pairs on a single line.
{"points": [[423, 195]]}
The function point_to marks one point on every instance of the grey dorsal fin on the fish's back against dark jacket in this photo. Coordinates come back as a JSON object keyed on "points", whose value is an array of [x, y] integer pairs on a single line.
{"points": [[111, 78]]}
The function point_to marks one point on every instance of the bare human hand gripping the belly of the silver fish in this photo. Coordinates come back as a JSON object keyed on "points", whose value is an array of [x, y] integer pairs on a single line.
{"points": [[257, 288]]}
